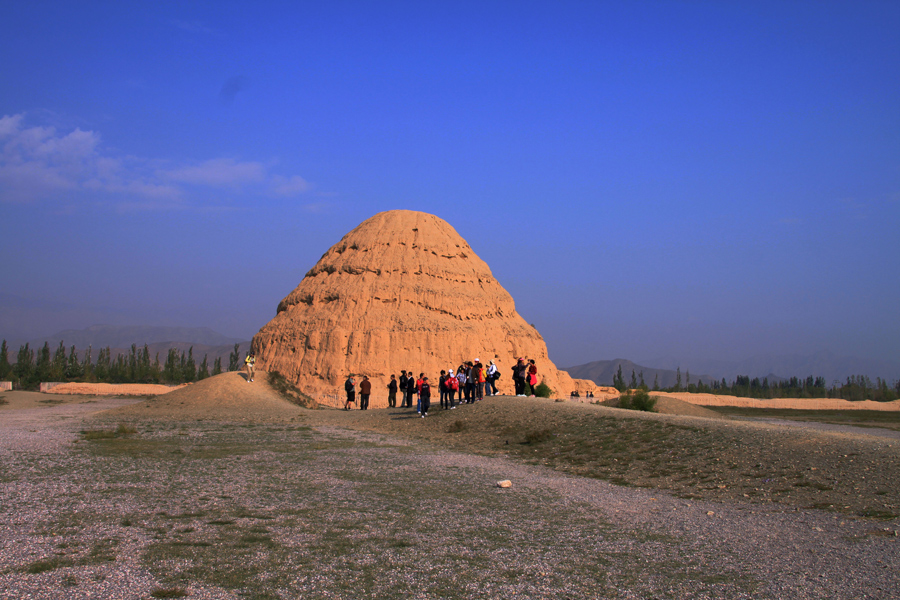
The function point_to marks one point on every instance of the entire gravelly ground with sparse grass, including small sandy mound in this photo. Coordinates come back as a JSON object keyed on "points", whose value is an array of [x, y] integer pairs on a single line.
{"points": [[226, 490]]}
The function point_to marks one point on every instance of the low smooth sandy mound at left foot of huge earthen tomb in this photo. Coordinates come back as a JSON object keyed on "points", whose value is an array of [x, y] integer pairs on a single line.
{"points": [[227, 397]]}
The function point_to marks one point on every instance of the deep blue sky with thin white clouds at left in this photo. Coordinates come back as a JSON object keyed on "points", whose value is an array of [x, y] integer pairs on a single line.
{"points": [[693, 179]]}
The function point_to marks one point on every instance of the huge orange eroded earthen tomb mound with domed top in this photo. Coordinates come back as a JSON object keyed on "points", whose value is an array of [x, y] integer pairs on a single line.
{"points": [[401, 291]]}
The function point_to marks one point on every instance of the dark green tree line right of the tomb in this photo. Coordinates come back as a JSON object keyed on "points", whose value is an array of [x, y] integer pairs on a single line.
{"points": [[855, 387]]}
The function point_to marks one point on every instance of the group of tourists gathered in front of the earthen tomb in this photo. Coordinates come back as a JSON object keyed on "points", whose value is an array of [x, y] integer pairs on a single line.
{"points": [[469, 383]]}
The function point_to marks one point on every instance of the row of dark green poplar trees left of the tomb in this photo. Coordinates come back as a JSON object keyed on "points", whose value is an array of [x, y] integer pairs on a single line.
{"points": [[136, 366]]}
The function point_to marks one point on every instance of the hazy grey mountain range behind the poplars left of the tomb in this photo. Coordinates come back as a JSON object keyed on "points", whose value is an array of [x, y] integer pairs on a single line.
{"points": [[204, 341]]}
